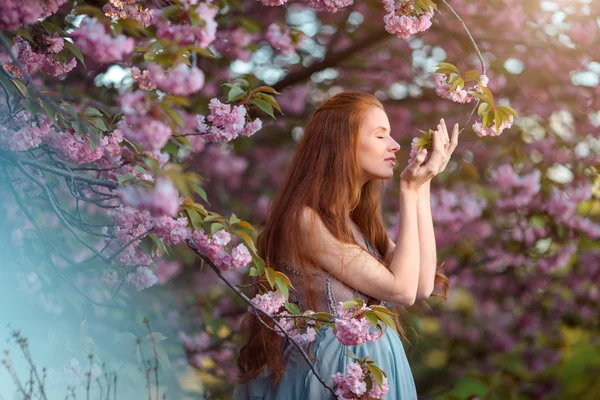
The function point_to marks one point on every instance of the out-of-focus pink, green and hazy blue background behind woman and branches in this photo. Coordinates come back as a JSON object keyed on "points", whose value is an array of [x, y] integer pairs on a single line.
{"points": [[517, 217]]}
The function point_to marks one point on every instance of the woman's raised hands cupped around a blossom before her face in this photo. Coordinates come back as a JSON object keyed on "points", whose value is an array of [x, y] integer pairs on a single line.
{"points": [[425, 166]]}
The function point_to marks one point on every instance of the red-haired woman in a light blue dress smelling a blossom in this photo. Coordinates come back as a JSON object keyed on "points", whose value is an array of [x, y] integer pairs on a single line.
{"points": [[325, 231]]}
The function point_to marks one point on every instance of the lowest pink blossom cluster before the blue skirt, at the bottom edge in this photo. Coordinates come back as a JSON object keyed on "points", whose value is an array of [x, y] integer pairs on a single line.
{"points": [[351, 384]]}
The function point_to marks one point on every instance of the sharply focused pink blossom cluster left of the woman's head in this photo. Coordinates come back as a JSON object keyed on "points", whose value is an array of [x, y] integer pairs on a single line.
{"points": [[227, 122]]}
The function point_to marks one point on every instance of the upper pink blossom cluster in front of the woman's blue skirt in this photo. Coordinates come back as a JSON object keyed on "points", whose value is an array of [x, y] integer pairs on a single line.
{"points": [[353, 328]]}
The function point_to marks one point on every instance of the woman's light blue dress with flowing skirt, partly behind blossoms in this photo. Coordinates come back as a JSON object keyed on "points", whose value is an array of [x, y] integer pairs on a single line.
{"points": [[298, 381]]}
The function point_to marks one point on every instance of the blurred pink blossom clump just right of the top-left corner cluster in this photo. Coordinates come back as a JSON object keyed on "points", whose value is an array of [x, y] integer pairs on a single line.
{"points": [[93, 40]]}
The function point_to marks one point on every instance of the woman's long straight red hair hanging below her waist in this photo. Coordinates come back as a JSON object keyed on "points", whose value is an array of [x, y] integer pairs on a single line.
{"points": [[325, 176]]}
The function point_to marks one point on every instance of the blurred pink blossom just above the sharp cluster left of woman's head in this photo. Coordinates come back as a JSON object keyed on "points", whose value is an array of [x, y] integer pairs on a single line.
{"points": [[181, 80]]}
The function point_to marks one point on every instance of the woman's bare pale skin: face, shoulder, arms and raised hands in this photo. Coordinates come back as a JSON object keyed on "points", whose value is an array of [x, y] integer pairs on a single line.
{"points": [[410, 276]]}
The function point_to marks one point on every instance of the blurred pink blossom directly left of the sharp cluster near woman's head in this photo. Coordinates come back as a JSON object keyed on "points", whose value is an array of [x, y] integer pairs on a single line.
{"points": [[150, 133]]}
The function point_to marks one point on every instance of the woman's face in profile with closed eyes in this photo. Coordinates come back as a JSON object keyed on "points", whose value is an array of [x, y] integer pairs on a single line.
{"points": [[376, 148]]}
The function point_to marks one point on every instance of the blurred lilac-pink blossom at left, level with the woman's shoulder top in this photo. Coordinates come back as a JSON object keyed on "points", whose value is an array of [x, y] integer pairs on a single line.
{"points": [[163, 199]]}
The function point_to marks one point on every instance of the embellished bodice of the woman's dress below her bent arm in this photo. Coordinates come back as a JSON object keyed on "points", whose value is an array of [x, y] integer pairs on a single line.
{"points": [[328, 291]]}
